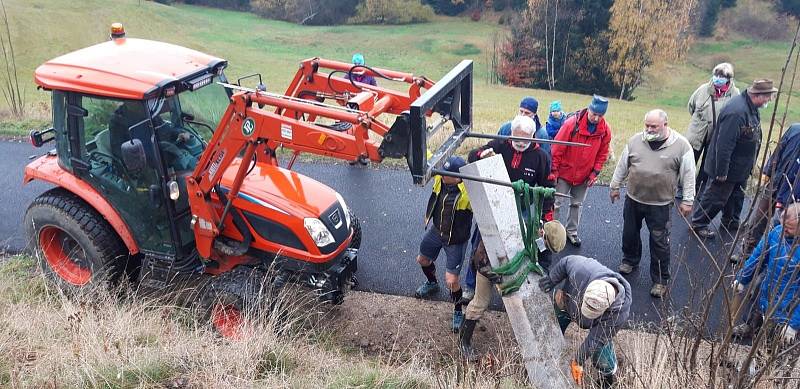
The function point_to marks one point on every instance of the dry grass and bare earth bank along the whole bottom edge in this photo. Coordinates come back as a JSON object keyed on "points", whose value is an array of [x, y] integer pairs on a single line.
{"points": [[48, 340]]}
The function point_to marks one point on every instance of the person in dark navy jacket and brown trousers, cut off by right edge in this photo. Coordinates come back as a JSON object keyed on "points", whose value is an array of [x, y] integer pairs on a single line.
{"points": [[783, 166]]}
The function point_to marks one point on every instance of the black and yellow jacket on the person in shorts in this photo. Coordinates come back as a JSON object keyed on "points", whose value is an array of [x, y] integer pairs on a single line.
{"points": [[456, 221]]}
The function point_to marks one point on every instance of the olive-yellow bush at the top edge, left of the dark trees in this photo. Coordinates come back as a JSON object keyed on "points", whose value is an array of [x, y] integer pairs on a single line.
{"points": [[392, 12]]}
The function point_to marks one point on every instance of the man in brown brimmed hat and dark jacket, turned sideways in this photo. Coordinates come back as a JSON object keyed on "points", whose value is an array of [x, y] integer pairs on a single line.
{"points": [[730, 159]]}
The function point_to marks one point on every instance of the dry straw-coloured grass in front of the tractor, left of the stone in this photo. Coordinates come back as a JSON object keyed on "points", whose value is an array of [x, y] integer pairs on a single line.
{"points": [[104, 341]]}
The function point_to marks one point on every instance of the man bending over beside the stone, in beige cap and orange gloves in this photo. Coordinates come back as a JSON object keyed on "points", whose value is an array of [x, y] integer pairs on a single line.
{"points": [[596, 298]]}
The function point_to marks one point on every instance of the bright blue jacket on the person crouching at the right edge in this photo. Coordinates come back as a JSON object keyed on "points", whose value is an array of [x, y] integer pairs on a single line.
{"points": [[776, 279]]}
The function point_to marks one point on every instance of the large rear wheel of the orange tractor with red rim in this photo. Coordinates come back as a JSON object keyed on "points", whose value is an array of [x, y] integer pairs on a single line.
{"points": [[75, 246]]}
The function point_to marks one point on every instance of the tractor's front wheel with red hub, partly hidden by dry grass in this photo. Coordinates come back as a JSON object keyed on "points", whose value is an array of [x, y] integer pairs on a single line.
{"points": [[234, 298]]}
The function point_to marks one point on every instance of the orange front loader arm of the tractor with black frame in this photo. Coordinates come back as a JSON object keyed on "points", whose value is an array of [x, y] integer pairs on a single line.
{"points": [[257, 122]]}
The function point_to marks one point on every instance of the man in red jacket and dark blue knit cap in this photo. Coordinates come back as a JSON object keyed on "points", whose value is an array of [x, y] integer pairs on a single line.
{"points": [[576, 168]]}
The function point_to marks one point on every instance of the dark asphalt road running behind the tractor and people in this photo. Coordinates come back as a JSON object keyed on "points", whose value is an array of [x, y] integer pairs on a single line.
{"points": [[391, 211]]}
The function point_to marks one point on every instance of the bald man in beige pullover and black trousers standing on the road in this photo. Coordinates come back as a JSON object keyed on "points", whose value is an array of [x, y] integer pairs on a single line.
{"points": [[653, 161]]}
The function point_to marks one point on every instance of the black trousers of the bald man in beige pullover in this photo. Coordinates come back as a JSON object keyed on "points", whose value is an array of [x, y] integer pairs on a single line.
{"points": [[657, 219]]}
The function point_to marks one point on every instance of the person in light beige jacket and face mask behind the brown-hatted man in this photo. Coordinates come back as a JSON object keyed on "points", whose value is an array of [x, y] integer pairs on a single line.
{"points": [[704, 106]]}
